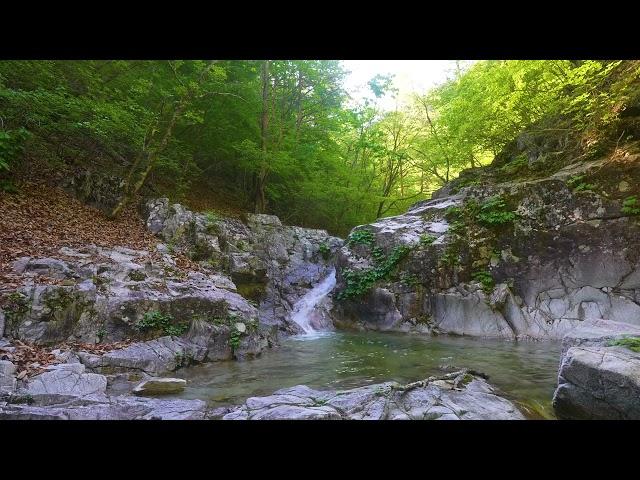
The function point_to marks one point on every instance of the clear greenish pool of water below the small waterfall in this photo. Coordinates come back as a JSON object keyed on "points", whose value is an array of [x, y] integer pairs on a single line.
{"points": [[524, 371]]}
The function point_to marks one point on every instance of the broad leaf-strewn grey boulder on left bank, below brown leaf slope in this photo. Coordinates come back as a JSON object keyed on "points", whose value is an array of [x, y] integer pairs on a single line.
{"points": [[108, 299]]}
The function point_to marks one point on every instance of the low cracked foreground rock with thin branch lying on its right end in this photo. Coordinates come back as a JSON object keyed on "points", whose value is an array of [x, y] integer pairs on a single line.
{"points": [[438, 398]]}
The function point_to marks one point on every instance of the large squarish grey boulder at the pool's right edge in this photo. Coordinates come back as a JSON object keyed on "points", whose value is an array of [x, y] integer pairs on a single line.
{"points": [[597, 380]]}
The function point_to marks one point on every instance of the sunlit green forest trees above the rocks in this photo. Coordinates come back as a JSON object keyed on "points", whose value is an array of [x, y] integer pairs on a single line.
{"points": [[284, 137]]}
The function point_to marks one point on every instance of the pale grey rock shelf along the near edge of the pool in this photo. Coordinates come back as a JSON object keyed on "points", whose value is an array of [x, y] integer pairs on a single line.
{"points": [[67, 392]]}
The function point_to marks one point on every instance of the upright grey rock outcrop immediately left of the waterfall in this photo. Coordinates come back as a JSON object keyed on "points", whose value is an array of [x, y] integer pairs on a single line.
{"points": [[271, 264]]}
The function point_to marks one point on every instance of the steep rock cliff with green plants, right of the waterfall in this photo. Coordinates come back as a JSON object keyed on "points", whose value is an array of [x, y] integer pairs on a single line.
{"points": [[529, 247]]}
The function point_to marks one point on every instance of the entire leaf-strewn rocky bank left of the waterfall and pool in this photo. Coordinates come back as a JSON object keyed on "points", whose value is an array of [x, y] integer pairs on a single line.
{"points": [[90, 324]]}
